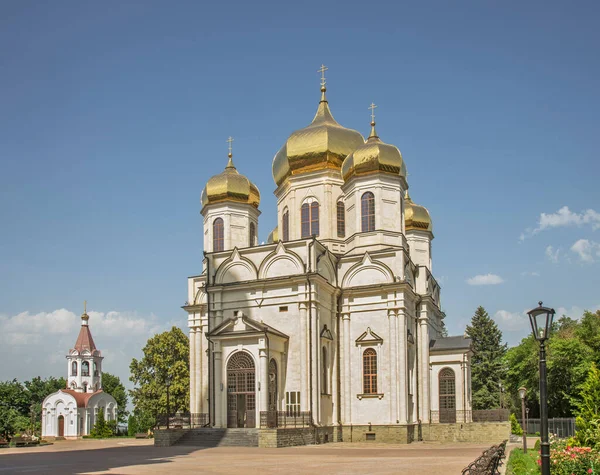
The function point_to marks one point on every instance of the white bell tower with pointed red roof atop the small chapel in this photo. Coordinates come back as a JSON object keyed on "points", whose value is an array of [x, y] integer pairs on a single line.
{"points": [[84, 361]]}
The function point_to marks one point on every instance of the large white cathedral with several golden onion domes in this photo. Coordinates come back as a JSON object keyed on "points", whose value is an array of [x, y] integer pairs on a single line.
{"points": [[337, 319]]}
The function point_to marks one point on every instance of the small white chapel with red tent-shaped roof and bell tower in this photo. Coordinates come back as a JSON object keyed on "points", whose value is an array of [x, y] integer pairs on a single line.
{"points": [[72, 412]]}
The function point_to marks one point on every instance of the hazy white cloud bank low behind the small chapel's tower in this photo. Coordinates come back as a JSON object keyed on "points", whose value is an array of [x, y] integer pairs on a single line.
{"points": [[36, 344]]}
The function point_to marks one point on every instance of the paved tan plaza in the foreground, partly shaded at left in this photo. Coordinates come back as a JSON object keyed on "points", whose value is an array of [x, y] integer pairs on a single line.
{"points": [[129, 456]]}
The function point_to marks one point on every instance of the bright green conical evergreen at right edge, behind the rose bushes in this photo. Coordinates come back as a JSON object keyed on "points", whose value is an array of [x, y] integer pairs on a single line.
{"points": [[588, 410]]}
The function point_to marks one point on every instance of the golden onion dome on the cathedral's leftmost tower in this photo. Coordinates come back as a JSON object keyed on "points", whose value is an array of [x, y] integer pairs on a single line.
{"points": [[230, 186]]}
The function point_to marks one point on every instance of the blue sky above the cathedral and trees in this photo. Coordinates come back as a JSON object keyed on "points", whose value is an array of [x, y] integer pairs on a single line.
{"points": [[114, 116]]}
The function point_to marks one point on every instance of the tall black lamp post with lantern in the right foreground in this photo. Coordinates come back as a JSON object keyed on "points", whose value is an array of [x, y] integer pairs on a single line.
{"points": [[541, 323]]}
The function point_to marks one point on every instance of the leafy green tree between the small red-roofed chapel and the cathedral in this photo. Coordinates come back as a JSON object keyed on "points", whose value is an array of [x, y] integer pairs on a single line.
{"points": [[165, 361]]}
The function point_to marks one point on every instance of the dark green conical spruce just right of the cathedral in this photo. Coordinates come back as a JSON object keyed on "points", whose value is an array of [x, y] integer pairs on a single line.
{"points": [[487, 365]]}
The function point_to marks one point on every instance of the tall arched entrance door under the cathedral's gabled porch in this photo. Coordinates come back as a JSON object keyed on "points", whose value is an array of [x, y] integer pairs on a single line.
{"points": [[241, 397]]}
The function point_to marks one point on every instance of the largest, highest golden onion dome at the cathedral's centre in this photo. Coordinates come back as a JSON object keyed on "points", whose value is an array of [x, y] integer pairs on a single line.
{"points": [[321, 145]]}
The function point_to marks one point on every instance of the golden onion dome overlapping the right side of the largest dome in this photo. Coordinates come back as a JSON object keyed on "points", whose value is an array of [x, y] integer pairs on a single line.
{"points": [[374, 156]]}
